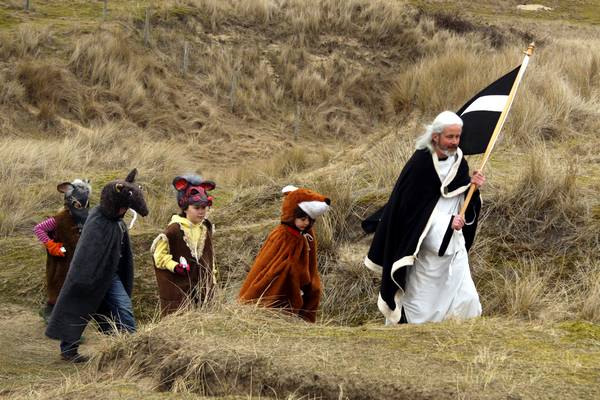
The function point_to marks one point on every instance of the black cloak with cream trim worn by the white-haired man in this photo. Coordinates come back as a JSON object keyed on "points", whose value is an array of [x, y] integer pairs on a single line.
{"points": [[404, 221]]}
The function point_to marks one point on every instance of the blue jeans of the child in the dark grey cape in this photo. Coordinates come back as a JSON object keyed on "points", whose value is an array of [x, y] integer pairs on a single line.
{"points": [[117, 304]]}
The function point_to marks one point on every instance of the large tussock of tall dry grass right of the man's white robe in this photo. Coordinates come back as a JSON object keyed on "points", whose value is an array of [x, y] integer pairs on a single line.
{"points": [[540, 232]]}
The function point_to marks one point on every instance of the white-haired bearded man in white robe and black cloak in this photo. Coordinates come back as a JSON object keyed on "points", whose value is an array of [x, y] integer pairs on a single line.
{"points": [[418, 284]]}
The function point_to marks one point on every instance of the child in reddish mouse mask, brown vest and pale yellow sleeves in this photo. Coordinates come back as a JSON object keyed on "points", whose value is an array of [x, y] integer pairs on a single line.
{"points": [[183, 255]]}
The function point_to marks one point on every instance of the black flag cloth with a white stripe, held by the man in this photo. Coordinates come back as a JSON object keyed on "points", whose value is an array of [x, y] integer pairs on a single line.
{"points": [[480, 114]]}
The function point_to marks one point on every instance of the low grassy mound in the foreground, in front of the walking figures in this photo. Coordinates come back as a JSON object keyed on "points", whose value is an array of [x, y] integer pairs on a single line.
{"points": [[251, 352]]}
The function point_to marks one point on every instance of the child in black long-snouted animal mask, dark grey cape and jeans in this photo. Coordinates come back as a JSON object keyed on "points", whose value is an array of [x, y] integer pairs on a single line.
{"points": [[100, 279]]}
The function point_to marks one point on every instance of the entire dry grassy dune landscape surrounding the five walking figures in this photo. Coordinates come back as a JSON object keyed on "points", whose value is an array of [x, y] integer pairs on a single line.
{"points": [[328, 94]]}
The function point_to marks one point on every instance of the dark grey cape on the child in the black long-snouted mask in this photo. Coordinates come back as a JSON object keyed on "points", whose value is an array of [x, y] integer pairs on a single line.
{"points": [[102, 250]]}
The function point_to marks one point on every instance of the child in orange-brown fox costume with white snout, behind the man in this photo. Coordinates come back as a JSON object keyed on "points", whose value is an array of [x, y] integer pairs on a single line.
{"points": [[285, 274]]}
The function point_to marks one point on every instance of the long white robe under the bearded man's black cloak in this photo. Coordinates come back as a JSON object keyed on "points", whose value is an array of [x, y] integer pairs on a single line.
{"points": [[439, 288]]}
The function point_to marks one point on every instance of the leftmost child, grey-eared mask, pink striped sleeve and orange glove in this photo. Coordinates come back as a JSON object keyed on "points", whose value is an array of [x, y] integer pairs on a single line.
{"points": [[60, 234]]}
